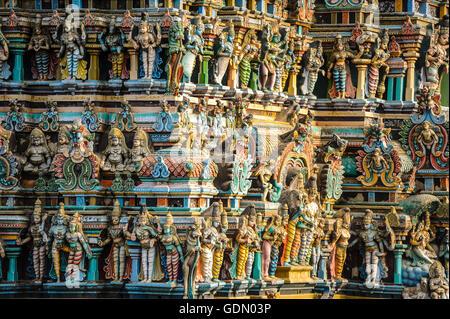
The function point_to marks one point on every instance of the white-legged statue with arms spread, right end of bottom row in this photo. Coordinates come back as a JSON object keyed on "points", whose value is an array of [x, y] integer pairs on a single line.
{"points": [[373, 248]]}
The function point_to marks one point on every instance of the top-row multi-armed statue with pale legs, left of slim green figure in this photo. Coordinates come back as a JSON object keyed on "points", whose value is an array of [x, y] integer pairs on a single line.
{"points": [[146, 39]]}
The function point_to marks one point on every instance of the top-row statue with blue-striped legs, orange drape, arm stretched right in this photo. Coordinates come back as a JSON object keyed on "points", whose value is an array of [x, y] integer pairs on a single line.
{"points": [[341, 73]]}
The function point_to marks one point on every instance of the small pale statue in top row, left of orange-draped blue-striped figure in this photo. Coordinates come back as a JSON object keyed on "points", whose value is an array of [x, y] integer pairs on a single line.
{"points": [[313, 62]]}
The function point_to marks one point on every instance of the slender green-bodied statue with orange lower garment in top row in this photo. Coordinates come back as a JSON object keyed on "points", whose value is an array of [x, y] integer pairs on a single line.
{"points": [[173, 67]]}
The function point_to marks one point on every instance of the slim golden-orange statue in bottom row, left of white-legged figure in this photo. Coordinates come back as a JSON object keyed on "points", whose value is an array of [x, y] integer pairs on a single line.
{"points": [[339, 243]]}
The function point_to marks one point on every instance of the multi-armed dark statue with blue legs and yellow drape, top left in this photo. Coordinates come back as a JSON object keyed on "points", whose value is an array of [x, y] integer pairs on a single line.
{"points": [[72, 37]]}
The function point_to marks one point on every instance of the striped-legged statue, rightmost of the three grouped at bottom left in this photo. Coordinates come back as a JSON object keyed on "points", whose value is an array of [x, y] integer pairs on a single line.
{"points": [[77, 244]]}
